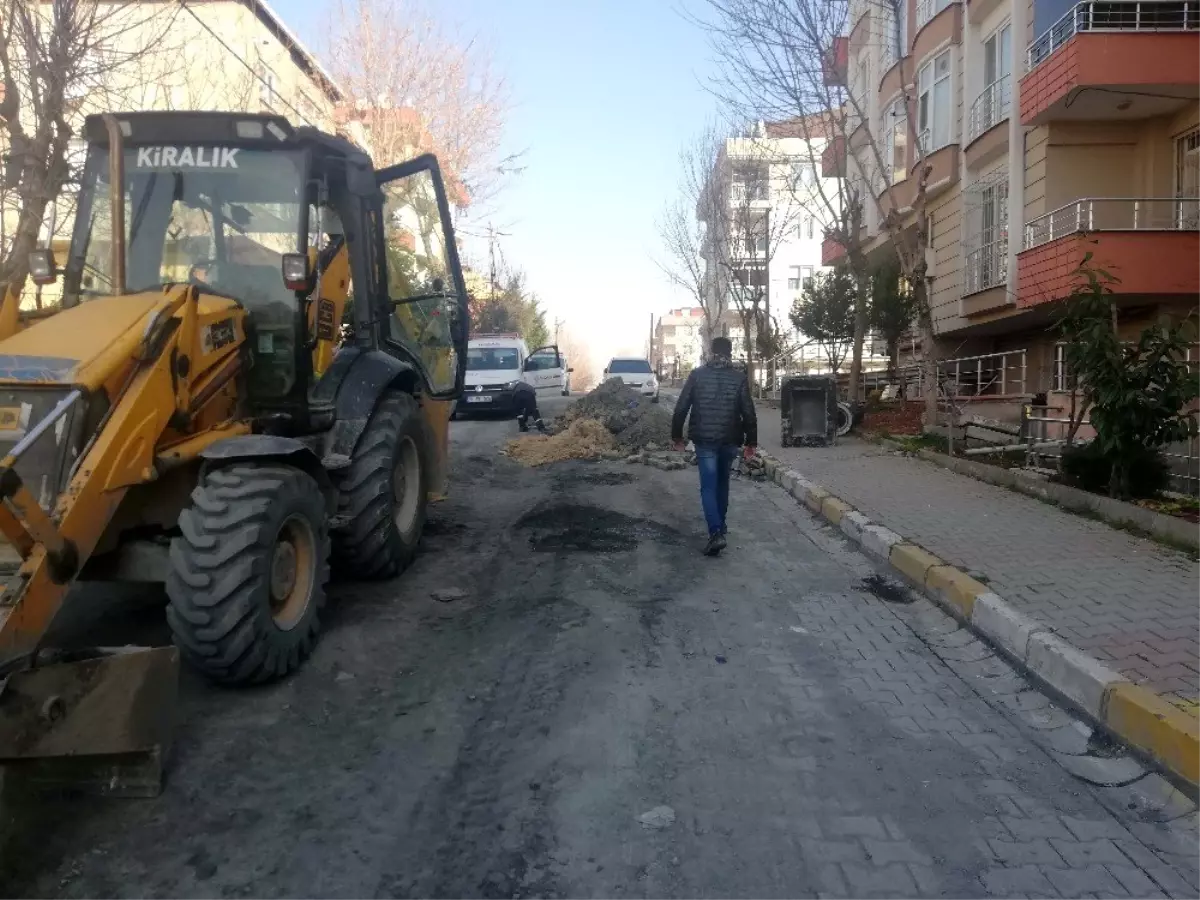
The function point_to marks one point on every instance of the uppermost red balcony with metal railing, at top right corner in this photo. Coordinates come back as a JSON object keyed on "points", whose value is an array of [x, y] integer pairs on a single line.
{"points": [[1138, 58]]}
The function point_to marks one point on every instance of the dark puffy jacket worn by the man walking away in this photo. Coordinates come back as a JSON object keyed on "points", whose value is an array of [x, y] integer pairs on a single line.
{"points": [[718, 397]]}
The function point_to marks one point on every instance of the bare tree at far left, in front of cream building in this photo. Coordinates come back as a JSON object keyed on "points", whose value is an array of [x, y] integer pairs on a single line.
{"points": [[57, 61]]}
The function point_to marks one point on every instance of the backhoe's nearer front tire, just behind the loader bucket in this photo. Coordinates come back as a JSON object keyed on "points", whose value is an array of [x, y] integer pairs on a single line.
{"points": [[248, 575]]}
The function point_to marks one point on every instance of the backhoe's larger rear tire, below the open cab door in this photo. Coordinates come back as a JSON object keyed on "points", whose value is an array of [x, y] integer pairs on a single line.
{"points": [[383, 494]]}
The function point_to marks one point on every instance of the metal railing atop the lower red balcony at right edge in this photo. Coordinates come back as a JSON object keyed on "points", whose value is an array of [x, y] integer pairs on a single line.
{"points": [[1109, 214]]}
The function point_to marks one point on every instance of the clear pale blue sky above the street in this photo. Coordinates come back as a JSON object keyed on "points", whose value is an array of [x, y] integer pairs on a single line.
{"points": [[605, 93]]}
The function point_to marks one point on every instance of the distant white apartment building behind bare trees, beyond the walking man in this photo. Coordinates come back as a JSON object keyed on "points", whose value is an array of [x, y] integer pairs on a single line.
{"points": [[770, 203]]}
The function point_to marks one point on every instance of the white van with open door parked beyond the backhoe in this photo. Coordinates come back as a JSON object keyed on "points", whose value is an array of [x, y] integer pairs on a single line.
{"points": [[497, 363]]}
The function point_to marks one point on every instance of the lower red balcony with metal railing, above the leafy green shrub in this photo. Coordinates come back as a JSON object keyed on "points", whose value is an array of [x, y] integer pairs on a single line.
{"points": [[1150, 245]]}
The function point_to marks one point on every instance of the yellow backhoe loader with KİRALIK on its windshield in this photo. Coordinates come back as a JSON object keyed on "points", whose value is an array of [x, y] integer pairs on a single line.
{"points": [[194, 413]]}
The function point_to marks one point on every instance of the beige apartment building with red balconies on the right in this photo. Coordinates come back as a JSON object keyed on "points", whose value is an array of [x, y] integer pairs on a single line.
{"points": [[1077, 124]]}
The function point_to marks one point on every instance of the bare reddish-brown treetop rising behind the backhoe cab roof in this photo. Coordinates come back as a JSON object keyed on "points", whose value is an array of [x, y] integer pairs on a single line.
{"points": [[418, 88]]}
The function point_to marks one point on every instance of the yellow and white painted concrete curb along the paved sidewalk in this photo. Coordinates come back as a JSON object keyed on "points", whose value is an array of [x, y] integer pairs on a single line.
{"points": [[1143, 721]]}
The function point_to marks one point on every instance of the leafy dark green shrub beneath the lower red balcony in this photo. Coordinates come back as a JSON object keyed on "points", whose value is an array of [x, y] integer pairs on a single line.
{"points": [[1138, 392]]}
